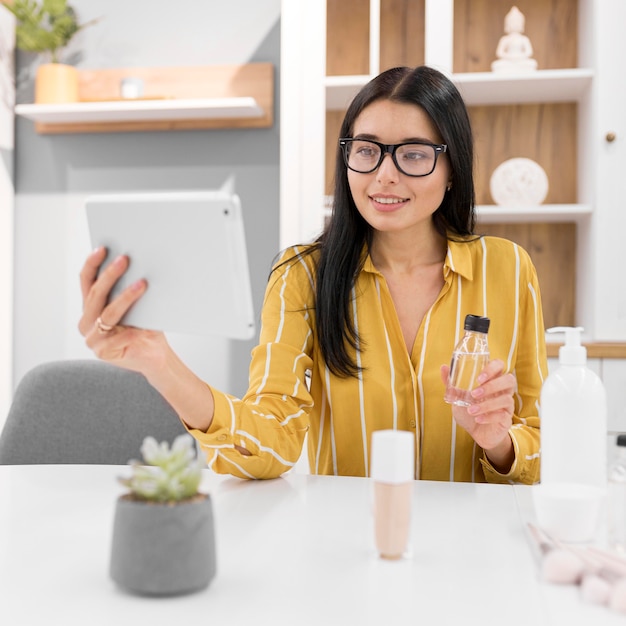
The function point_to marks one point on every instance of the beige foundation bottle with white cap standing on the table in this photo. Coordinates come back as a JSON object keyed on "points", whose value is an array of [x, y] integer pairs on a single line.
{"points": [[393, 473]]}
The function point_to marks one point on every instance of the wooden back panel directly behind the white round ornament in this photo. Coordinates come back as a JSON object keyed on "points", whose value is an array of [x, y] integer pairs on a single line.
{"points": [[545, 133]]}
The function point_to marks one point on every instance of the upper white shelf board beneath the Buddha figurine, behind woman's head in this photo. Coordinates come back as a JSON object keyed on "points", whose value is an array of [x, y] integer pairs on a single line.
{"points": [[566, 85]]}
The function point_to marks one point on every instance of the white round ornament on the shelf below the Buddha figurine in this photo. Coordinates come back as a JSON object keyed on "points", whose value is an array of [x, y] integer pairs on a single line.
{"points": [[519, 182]]}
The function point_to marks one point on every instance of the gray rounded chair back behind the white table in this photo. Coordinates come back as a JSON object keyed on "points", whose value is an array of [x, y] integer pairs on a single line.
{"points": [[84, 411]]}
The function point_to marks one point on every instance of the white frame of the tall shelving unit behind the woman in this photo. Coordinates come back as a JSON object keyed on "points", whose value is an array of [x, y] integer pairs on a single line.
{"points": [[593, 85]]}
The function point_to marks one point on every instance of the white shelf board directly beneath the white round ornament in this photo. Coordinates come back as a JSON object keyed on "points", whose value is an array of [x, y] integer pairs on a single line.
{"points": [[554, 213]]}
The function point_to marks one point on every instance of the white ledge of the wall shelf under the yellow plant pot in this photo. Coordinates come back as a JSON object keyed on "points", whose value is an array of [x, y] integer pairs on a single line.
{"points": [[141, 110]]}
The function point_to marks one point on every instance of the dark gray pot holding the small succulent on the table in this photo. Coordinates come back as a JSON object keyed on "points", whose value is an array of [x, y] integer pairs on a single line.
{"points": [[163, 549]]}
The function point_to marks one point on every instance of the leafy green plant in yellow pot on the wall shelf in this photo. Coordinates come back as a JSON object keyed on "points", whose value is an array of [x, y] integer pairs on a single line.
{"points": [[47, 28]]}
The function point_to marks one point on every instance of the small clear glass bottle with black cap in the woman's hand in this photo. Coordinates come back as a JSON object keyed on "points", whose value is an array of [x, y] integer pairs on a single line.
{"points": [[468, 359]]}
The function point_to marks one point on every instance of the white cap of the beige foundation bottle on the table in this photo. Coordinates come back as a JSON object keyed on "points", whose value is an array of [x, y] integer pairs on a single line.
{"points": [[393, 456]]}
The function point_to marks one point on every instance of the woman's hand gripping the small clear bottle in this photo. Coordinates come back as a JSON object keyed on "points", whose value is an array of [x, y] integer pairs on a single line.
{"points": [[490, 416]]}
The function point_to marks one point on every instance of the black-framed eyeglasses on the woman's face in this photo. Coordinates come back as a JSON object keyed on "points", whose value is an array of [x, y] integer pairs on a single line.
{"points": [[411, 158]]}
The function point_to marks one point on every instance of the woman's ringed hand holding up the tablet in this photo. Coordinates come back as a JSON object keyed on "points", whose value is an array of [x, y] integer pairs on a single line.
{"points": [[127, 346]]}
